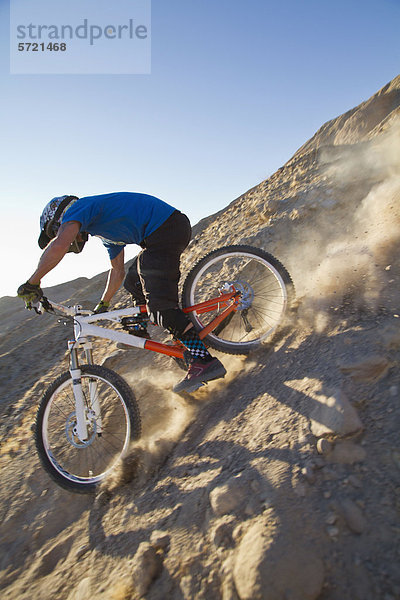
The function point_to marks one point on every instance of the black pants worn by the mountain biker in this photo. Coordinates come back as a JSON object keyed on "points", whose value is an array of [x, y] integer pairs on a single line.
{"points": [[154, 275]]}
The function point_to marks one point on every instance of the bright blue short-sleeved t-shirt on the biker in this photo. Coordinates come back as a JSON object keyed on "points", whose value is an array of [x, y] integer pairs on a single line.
{"points": [[119, 218]]}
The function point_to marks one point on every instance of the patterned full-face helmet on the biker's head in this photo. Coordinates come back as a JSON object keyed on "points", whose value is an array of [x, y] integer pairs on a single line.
{"points": [[50, 221]]}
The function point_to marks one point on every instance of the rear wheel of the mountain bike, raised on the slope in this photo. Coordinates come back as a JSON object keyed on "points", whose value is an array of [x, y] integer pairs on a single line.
{"points": [[265, 287]]}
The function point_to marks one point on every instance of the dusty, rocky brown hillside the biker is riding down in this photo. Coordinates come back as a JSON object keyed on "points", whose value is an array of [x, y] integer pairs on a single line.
{"points": [[282, 482]]}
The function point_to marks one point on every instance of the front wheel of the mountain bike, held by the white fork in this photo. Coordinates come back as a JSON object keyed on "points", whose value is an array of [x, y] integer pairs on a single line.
{"points": [[112, 418]]}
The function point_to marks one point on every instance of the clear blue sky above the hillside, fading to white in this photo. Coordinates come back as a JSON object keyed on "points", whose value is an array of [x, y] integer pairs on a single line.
{"points": [[235, 88]]}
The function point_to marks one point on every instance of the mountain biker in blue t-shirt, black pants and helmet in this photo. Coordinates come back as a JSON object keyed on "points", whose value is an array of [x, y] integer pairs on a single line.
{"points": [[119, 219]]}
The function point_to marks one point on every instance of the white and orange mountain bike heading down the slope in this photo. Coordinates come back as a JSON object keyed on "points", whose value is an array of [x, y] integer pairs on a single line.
{"points": [[236, 297]]}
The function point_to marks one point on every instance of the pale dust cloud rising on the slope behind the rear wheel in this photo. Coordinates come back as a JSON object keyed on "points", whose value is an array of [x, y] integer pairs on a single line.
{"points": [[348, 252]]}
